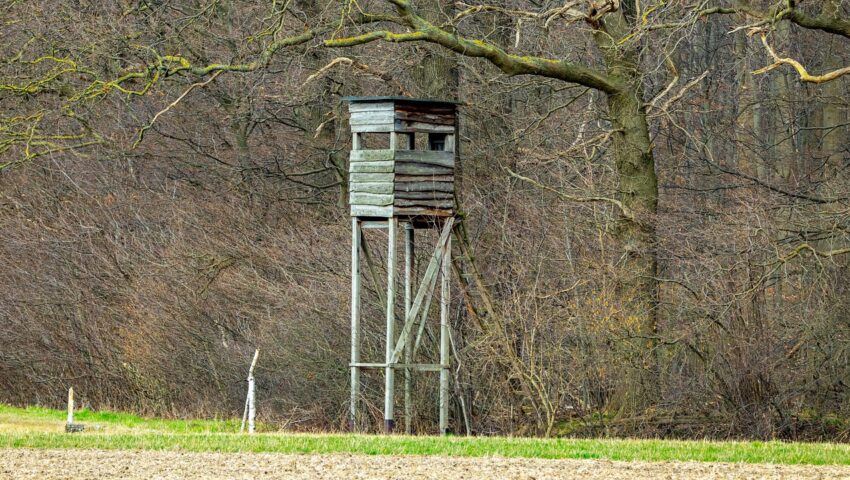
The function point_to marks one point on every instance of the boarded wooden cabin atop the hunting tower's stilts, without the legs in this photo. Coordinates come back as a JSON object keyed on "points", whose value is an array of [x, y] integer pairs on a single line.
{"points": [[402, 157]]}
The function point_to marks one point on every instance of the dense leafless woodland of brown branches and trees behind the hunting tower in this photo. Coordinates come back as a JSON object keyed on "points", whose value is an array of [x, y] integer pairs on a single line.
{"points": [[657, 193]]}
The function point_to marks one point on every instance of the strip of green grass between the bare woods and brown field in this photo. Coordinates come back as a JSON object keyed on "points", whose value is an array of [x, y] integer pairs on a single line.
{"points": [[206, 436]]}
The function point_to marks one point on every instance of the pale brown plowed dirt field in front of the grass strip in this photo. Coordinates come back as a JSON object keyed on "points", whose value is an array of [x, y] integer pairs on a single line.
{"points": [[90, 464]]}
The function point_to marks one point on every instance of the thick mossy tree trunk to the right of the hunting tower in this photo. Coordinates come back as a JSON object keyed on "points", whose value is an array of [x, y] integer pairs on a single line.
{"points": [[638, 184]]}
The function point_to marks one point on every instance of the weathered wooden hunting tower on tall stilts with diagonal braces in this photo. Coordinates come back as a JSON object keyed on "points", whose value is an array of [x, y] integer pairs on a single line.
{"points": [[401, 171]]}
